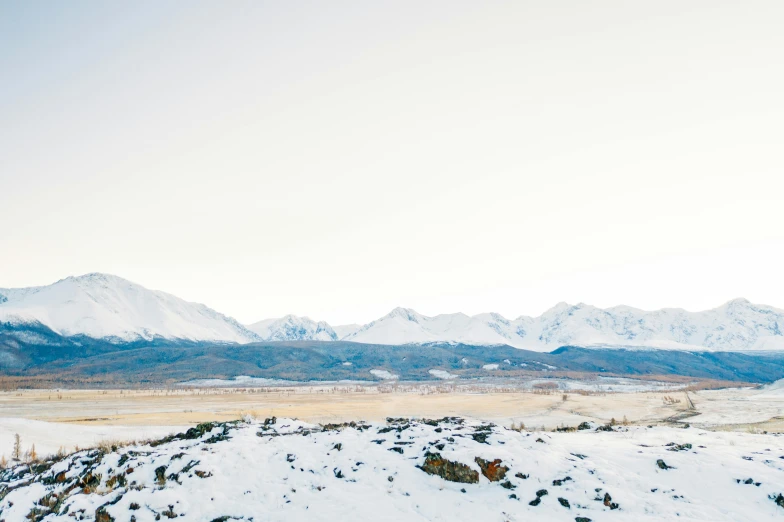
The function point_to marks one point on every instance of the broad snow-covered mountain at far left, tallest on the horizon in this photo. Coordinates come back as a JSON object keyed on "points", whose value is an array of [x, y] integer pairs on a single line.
{"points": [[108, 307]]}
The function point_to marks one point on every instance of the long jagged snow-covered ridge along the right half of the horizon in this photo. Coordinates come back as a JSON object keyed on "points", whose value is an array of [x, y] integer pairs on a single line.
{"points": [[736, 325]]}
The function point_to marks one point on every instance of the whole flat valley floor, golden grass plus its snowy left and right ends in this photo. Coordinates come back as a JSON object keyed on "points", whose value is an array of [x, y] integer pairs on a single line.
{"points": [[69, 418]]}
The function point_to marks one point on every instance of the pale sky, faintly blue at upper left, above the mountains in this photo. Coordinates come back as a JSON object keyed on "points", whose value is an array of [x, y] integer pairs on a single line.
{"points": [[338, 159]]}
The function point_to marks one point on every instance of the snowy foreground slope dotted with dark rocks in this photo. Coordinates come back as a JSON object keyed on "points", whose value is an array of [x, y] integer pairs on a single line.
{"points": [[448, 469]]}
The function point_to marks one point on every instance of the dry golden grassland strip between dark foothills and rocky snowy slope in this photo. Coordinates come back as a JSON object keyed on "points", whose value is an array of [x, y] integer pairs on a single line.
{"points": [[333, 404]]}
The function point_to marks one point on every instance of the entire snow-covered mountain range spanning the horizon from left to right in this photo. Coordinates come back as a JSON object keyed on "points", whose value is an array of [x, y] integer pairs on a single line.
{"points": [[108, 307]]}
